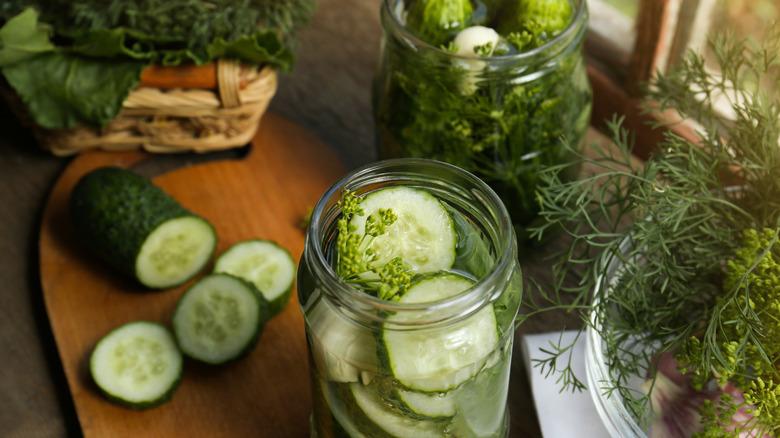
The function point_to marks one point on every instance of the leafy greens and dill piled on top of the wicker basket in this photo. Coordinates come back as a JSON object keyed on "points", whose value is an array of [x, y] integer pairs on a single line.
{"points": [[74, 62]]}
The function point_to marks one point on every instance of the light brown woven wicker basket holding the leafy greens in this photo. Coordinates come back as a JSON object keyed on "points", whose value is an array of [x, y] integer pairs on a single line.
{"points": [[178, 119]]}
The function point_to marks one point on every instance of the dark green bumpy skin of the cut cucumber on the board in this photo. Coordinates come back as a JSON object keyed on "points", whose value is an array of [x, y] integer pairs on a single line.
{"points": [[114, 210]]}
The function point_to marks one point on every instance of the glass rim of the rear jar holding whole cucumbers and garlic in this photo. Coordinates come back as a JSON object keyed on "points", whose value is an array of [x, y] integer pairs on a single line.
{"points": [[568, 34]]}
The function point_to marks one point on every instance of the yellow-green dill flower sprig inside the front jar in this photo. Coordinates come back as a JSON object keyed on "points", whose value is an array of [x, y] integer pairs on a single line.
{"points": [[356, 259]]}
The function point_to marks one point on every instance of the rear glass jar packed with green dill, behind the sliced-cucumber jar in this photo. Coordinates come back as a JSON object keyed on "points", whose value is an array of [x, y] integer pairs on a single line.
{"points": [[502, 117]]}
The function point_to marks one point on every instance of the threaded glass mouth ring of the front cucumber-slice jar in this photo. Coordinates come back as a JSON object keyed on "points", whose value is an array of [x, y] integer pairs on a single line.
{"points": [[365, 306]]}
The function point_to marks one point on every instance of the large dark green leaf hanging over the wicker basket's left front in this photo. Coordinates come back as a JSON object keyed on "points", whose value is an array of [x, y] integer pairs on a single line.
{"points": [[62, 90]]}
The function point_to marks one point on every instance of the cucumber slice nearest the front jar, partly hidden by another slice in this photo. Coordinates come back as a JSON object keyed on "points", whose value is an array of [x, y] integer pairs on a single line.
{"points": [[265, 264]]}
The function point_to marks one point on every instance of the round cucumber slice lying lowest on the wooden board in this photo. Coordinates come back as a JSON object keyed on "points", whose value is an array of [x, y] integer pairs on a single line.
{"points": [[137, 365]]}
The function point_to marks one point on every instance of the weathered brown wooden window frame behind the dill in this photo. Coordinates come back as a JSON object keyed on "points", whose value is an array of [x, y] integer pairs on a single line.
{"points": [[623, 53]]}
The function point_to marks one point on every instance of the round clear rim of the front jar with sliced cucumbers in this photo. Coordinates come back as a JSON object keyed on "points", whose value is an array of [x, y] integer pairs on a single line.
{"points": [[471, 300]]}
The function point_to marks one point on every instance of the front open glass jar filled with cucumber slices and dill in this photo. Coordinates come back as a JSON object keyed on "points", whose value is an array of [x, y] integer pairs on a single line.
{"points": [[409, 285]]}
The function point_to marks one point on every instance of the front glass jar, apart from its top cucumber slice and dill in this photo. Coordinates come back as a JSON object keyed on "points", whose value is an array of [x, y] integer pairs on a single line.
{"points": [[365, 375]]}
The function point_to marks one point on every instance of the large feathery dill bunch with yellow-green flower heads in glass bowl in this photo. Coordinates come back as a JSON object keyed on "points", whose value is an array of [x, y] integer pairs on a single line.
{"points": [[681, 253]]}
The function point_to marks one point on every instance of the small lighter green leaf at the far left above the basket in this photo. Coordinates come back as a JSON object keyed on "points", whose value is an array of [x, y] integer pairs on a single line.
{"points": [[22, 38]]}
